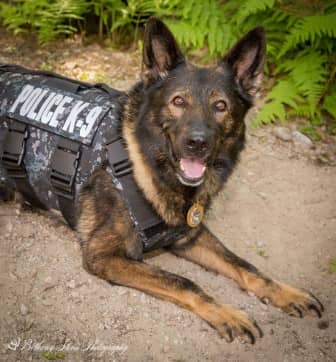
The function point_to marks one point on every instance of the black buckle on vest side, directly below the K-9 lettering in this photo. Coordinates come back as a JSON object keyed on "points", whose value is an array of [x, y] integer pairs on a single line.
{"points": [[63, 168]]}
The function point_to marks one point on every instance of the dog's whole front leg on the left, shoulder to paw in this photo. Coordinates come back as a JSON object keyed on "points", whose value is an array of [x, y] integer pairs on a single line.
{"points": [[112, 252]]}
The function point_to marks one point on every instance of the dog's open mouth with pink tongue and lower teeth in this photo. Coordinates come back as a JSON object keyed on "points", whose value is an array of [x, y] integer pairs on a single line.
{"points": [[191, 171]]}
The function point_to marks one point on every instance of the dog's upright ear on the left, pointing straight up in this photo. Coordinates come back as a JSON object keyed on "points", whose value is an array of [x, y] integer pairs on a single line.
{"points": [[160, 51]]}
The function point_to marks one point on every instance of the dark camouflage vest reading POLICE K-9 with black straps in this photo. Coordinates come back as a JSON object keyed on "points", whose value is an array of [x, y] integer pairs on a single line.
{"points": [[55, 133]]}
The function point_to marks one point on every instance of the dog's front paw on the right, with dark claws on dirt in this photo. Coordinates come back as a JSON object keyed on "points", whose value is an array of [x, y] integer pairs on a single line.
{"points": [[295, 302]]}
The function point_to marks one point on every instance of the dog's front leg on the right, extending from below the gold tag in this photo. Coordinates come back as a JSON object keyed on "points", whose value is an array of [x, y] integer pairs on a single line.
{"points": [[209, 252]]}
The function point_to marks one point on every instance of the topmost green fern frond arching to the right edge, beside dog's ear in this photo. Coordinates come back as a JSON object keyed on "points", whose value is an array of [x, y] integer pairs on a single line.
{"points": [[310, 28]]}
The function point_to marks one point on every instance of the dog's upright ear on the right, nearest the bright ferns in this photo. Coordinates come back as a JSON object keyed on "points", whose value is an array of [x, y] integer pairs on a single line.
{"points": [[247, 60]]}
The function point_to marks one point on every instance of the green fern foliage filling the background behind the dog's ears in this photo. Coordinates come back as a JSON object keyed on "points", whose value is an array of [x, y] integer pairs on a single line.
{"points": [[301, 37]]}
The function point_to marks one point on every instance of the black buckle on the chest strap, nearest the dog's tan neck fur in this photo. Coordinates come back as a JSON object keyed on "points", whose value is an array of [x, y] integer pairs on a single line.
{"points": [[118, 158]]}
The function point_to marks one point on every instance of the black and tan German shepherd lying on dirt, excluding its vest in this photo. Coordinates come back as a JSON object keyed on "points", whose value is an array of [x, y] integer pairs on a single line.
{"points": [[184, 129]]}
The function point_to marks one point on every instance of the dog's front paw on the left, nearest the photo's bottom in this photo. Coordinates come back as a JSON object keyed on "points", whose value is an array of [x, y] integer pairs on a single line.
{"points": [[231, 323]]}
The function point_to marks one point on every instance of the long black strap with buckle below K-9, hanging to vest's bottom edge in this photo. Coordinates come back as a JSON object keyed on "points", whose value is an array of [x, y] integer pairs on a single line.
{"points": [[63, 174]]}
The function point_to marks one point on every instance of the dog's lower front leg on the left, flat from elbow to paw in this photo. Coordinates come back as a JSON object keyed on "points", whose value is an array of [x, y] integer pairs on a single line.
{"points": [[229, 323]]}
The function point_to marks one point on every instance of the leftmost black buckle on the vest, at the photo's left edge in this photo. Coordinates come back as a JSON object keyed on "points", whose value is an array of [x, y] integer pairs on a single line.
{"points": [[14, 150]]}
